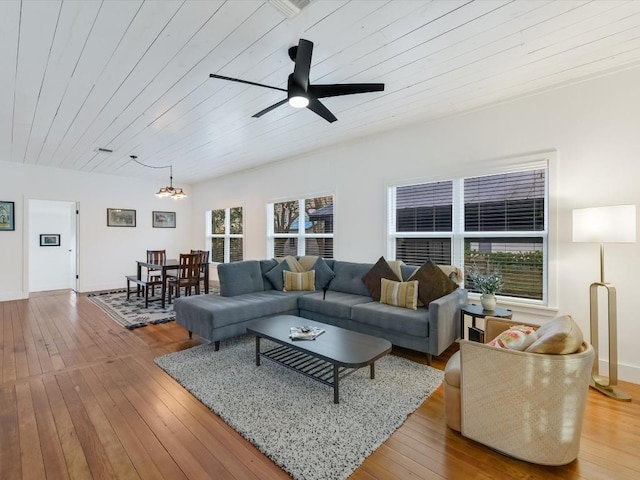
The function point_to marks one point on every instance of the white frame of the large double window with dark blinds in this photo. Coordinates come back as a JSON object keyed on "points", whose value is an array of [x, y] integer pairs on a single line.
{"points": [[543, 160]]}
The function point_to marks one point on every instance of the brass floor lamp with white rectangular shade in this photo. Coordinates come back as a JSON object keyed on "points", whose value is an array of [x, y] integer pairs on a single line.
{"points": [[616, 224]]}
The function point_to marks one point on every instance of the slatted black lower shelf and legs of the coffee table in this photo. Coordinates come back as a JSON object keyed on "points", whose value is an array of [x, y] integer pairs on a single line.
{"points": [[313, 367]]}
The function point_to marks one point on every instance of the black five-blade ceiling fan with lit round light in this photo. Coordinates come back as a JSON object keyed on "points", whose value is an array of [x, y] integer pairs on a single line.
{"points": [[300, 93]]}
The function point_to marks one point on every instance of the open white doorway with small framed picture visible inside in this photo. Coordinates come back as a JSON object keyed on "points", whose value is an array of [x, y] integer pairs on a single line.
{"points": [[53, 245]]}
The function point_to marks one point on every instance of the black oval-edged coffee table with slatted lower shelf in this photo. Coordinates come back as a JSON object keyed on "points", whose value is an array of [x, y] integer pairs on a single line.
{"points": [[329, 358]]}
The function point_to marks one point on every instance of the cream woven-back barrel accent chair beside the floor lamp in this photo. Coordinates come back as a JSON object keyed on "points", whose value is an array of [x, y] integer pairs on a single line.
{"points": [[526, 405]]}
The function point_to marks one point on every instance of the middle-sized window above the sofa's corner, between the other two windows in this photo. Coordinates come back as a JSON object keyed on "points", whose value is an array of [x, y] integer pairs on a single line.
{"points": [[289, 235]]}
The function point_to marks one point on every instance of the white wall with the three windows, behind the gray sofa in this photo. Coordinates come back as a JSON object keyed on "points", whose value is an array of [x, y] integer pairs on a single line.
{"points": [[592, 127]]}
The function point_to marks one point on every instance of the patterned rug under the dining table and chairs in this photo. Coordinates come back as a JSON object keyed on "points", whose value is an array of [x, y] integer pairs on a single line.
{"points": [[132, 313]]}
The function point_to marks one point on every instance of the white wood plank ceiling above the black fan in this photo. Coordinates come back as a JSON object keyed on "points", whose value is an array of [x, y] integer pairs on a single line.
{"points": [[133, 76]]}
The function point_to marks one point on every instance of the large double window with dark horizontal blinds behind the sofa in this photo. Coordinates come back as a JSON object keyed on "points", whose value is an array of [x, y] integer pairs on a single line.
{"points": [[497, 221]]}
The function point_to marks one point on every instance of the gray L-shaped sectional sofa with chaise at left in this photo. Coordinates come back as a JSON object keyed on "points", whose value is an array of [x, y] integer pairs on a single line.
{"points": [[247, 294]]}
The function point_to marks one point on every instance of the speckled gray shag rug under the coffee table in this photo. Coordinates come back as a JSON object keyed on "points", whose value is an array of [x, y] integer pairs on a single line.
{"points": [[291, 418]]}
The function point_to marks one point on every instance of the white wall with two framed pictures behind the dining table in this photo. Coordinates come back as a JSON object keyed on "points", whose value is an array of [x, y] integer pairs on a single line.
{"points": [[106, 254]]}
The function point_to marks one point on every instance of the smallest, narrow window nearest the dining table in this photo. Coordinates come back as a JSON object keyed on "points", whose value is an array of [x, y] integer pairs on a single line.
{"points": [[226, 234]]}
